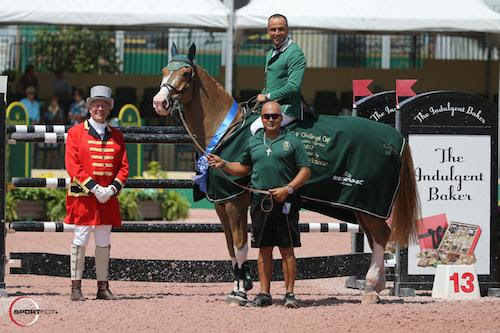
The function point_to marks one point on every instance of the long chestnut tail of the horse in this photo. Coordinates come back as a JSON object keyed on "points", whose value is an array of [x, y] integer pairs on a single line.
{"points": [[406, 212]]}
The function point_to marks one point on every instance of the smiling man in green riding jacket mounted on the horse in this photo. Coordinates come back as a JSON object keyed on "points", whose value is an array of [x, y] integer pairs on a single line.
{"points": [[284, 71]]}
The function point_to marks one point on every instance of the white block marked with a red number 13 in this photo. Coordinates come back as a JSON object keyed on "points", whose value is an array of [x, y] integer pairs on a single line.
{"points": [[456, 282]]}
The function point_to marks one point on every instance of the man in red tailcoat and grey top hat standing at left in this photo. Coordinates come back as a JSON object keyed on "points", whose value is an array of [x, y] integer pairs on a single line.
{"points": [[96, 161]]}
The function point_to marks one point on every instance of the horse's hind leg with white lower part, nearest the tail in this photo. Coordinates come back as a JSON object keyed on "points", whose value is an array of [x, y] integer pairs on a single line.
{"points": [[378, 233]]}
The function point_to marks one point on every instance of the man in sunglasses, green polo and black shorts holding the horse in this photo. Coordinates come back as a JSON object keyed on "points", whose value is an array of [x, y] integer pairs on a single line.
{"points": [[278, 161]]}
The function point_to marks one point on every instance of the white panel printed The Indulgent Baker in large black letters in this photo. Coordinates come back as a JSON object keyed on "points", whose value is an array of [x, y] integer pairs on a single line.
{"points": [[453, 177]]}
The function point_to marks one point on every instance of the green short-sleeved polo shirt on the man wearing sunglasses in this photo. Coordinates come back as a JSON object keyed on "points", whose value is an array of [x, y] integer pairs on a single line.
{"points": [[278, 168]]}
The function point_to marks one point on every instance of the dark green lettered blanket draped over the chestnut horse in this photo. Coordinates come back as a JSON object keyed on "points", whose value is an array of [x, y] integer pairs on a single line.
{"points": [[355, 165]]}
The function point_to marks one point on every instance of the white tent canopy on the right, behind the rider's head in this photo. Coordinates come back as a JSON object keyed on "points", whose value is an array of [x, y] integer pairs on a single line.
{"points": [[372, 15]]}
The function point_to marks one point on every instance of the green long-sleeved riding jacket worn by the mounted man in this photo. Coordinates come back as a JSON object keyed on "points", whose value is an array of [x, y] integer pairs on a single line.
{"points": [[284, 73]]}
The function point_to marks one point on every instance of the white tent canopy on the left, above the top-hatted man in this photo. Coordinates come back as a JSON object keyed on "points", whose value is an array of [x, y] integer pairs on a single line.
{"points": [[117, 13]]}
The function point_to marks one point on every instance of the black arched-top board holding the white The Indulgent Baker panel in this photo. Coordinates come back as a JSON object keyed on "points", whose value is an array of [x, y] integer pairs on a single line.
{"points": [[453, 137]]}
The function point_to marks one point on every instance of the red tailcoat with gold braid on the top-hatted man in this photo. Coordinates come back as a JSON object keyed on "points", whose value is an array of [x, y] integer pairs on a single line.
{"points": [[91, 161]]}
